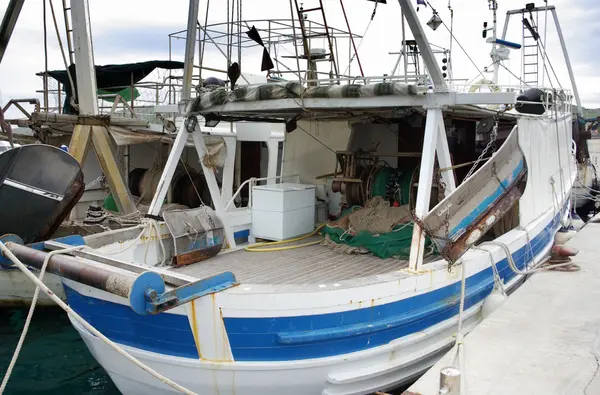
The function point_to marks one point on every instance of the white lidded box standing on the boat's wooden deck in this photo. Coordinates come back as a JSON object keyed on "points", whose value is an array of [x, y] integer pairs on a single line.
{"points": [[282, 211]]}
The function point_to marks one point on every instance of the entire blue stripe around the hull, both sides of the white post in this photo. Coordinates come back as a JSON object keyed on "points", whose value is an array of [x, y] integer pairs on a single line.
{"points": [[302, 337]]}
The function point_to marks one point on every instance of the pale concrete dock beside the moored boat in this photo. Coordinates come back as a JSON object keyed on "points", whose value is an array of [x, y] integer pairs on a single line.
{"points": [[544, 339]]}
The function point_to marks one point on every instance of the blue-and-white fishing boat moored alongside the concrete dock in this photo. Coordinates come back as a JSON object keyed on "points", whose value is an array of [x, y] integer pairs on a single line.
{"points": [[360, 300]]}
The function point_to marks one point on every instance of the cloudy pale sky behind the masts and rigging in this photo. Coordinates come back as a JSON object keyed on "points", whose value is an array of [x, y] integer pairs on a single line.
{"points": [[136, 30]]}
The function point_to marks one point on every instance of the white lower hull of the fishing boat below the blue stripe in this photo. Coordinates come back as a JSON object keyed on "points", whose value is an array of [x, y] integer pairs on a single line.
{"points": [[384, 367]]}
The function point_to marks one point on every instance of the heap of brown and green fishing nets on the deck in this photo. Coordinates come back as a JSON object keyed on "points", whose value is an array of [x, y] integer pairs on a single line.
{"points": [[377, 228]]}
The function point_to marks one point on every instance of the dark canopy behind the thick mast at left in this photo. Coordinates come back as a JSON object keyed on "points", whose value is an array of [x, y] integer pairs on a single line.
{"points": [[112, 75]]}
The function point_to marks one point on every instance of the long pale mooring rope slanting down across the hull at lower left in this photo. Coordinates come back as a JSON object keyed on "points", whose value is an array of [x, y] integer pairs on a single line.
{"points": [[8, 253]]}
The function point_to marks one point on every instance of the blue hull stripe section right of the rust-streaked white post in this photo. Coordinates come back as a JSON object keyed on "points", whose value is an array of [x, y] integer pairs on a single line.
{"points": [[323, 335]]}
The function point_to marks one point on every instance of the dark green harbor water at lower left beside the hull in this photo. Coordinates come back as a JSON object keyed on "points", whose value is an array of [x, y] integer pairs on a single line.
{"points": [[53, 360]]}
